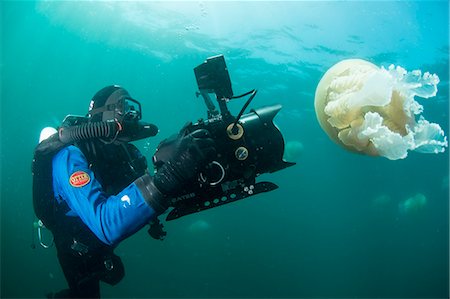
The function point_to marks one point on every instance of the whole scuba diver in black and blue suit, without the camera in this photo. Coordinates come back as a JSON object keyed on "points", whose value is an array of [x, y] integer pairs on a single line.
{"points": [[93, 191]]}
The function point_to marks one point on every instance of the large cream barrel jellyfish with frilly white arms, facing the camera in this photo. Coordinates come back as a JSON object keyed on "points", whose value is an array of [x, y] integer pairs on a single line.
{"points": [[373, 111]]}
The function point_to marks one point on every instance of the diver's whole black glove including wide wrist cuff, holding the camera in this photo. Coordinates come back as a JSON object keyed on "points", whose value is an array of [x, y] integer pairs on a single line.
{"points": [[179, 161]]}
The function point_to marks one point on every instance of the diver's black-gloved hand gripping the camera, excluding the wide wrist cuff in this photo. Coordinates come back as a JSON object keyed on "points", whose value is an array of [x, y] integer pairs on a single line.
{"points": [[192, 152]]}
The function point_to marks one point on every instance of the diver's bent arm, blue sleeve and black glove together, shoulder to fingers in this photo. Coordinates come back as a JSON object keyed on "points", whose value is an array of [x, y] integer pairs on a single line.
{"points": [[114, 218]]}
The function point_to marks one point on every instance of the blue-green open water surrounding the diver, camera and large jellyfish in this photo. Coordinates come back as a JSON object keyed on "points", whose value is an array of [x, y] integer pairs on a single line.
{"points": [[336, 227]]}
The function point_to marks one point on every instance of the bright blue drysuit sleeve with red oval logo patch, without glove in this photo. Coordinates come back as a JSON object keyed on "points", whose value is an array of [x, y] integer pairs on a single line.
{"points": [[110, 218]]}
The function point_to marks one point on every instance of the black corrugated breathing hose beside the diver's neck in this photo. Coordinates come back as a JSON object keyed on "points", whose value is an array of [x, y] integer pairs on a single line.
{"points": [[108, 129]]}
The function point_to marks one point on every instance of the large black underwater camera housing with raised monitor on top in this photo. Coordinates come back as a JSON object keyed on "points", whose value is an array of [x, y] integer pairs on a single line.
{"points": [[247, 145]]}
